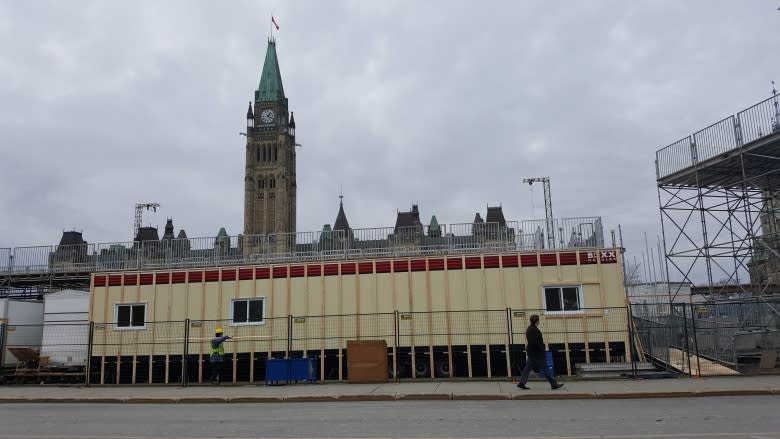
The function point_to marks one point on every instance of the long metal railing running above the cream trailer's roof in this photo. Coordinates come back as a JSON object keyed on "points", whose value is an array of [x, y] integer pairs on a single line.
{"points": [[303, 246]]}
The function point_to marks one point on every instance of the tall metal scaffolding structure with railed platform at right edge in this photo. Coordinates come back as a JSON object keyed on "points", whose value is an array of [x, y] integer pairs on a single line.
{"points": [[719, 194]]}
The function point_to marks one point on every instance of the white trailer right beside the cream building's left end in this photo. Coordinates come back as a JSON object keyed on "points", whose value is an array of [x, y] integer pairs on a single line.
{"points": [[66, 328]]}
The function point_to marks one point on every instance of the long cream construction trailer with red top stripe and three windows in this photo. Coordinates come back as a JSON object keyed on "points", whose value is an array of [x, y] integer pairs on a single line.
{"points": [[456, 315]]}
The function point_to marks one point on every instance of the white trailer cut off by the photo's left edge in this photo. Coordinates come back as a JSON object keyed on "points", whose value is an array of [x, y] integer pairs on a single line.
{"points": [[23, 327]]}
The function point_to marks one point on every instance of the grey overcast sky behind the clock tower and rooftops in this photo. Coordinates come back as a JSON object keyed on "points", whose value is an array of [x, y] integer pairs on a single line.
{"points": [[448, 104]]}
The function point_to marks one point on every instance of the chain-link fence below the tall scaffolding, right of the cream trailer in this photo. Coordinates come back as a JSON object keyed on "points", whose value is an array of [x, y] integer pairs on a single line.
{"points": [[721, 338]]}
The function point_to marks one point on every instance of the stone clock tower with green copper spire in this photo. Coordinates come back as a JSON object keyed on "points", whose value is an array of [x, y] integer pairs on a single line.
{"points": [[269, 178]]}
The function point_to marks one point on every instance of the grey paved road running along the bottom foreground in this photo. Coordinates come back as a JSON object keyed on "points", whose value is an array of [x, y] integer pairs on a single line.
{"points": [[723, 417]]}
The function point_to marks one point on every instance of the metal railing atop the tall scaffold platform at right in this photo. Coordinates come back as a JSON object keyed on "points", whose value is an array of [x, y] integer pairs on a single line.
{"points": [[748, 125]]}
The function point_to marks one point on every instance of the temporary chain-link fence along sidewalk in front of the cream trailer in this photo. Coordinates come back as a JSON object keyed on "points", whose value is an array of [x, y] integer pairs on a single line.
{"points": [[454, 344]]}
